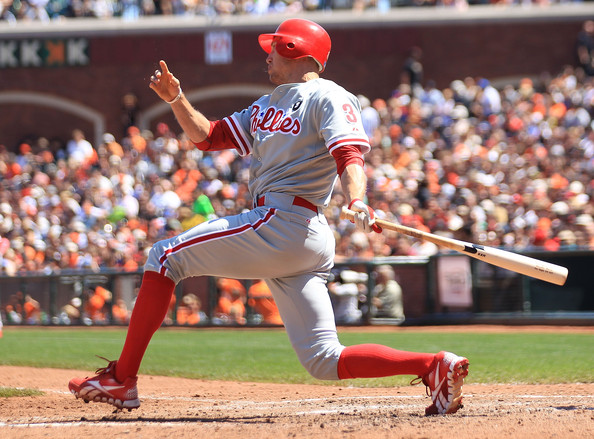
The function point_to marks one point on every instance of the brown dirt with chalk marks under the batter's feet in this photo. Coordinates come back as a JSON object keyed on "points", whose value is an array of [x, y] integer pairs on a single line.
{"points": [[183, 408]]}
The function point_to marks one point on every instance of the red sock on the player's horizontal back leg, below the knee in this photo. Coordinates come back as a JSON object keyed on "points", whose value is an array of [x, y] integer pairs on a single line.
{"points": [[374, 361]]}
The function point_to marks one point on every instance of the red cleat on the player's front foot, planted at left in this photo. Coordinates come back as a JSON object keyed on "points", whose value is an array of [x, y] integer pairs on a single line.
{"points": [[103, 387]]}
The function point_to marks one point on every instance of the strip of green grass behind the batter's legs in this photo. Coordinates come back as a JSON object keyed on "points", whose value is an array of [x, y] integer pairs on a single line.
{"points": [[263, 355]]}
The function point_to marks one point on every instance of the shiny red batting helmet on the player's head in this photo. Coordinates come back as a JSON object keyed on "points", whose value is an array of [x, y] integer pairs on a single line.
{"points": [[297, 38]]}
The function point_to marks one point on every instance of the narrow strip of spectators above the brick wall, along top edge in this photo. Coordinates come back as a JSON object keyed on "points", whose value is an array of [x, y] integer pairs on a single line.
{"points": [[46, 10]]}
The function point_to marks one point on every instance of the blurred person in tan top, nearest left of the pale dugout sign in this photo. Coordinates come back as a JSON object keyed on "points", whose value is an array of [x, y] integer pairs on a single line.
{"points": [[386, 297]]}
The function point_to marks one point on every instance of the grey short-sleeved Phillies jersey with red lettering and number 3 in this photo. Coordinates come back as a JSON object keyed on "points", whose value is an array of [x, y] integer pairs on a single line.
{"points": [[290, 133]]}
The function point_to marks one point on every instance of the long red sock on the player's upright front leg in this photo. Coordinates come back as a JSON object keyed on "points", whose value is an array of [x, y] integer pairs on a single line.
{"points": [[149, 311]]}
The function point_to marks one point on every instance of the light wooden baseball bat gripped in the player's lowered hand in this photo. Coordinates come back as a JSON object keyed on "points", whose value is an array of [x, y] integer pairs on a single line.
{"points": [[501, 258]]}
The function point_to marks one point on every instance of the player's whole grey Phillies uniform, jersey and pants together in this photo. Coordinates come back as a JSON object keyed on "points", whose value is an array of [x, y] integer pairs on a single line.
{"points": [[290, 135]]}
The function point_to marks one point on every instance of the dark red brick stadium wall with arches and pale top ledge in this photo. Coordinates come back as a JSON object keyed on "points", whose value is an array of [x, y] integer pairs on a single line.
{"points": [[367, 57]]}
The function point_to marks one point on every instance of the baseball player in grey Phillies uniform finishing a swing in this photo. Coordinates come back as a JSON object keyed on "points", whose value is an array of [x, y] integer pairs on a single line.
{"points": [[302, 137]]}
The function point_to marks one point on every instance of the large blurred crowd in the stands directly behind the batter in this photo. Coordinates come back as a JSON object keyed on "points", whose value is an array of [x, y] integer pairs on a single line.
{"points": [[509, 167]]}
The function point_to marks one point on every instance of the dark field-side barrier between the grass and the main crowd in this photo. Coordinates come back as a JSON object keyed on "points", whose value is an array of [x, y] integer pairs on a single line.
{"points": [[446, 288]]}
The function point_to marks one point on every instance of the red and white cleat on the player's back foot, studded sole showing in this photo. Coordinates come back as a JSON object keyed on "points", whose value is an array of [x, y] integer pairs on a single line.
{"points": [[444, 383]]}
